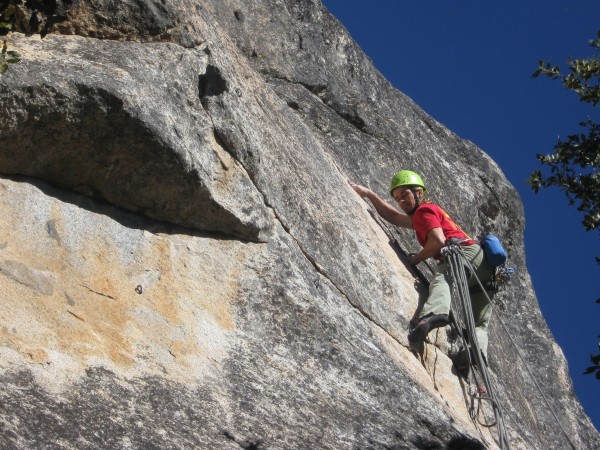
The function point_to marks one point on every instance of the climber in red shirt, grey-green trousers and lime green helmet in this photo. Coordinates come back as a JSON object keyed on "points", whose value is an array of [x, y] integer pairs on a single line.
{"points": [[434, 228]]}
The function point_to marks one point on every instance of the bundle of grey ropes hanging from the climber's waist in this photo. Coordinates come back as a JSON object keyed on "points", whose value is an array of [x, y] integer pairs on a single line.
{"points": [[457, 263]]}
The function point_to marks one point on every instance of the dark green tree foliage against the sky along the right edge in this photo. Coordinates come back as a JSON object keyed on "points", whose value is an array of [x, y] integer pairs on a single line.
{"points": [[574, 163]]}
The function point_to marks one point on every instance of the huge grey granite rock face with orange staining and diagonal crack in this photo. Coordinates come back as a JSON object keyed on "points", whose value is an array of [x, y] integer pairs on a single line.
{"points": [[184, 265]]}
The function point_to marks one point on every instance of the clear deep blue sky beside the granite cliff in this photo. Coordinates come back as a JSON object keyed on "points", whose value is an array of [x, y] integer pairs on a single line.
{"points": [[468, 64]]}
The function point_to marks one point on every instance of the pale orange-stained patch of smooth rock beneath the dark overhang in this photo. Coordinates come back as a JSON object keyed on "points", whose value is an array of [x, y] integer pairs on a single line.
{"points": [[95, 312]]}
